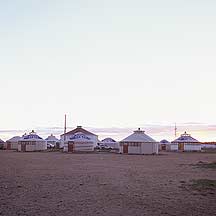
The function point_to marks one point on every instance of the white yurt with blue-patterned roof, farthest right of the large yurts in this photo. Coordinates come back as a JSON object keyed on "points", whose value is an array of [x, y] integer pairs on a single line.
{"points": [[186, 143]]}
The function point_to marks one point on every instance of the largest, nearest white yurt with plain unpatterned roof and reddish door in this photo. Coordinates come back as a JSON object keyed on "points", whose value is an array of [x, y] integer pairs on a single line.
{"points": [[138, 143]]}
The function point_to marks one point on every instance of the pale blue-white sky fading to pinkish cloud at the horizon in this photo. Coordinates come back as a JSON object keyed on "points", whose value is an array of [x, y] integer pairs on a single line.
{"points": [[109, 65]]}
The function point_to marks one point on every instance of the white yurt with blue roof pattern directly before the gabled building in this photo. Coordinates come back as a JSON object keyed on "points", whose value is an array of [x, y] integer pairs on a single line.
{"points": [[79, 142]]}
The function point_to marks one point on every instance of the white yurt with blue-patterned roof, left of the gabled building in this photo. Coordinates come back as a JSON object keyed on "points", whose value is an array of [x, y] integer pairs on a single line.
{"points": [[32, 142]]}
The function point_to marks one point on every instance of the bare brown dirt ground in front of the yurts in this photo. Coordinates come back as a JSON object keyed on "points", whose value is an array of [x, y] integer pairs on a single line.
{"points": [[55, 183]]}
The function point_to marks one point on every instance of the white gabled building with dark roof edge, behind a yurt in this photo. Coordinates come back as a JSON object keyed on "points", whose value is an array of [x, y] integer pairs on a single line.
{"points": [[79, 129]]}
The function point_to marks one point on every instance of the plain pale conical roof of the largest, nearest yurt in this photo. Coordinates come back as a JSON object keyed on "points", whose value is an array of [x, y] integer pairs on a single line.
{"points": [[138, 136]]}
